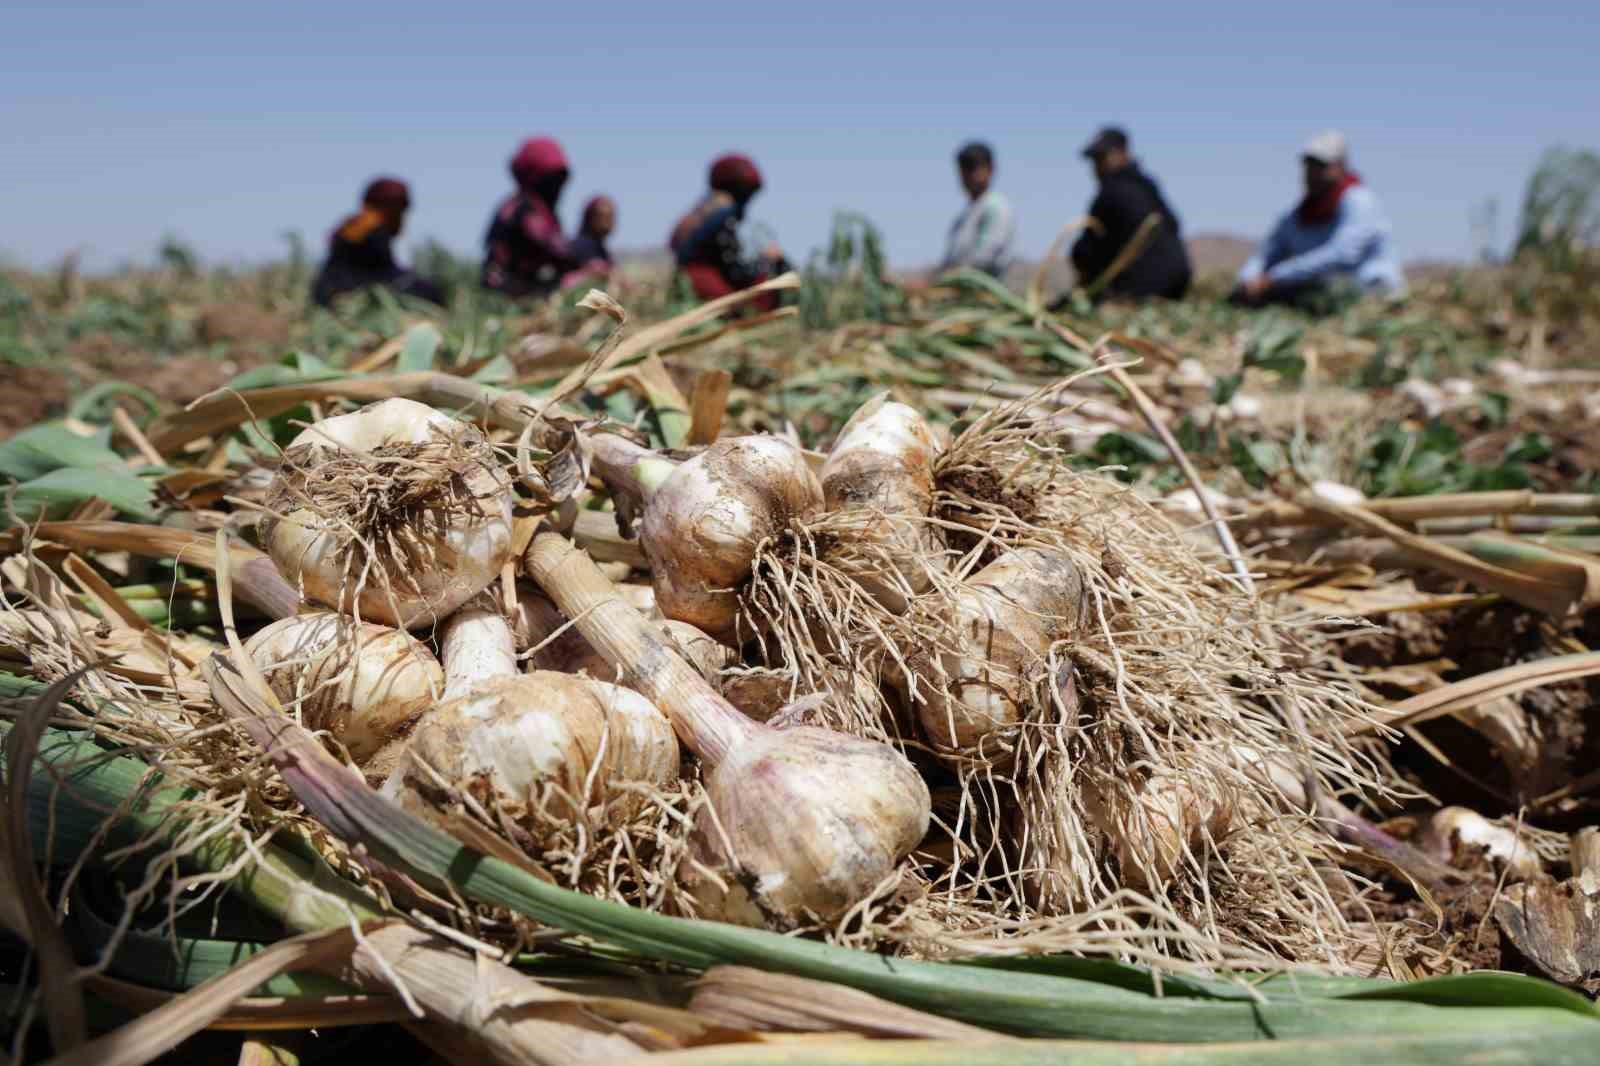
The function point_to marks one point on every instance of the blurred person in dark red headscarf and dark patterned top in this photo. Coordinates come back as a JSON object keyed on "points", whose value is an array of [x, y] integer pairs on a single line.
{"points": [[706, 241]]}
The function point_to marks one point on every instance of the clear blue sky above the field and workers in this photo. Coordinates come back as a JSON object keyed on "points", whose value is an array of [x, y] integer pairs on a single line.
{"points": [[228, 124]]}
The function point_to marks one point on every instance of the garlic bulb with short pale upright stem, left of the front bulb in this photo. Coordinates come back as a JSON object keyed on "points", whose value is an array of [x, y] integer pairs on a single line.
{"points": [[532, 747]]}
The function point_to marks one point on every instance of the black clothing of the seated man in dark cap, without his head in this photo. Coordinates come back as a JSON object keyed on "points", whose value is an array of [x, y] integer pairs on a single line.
{"points": [[1124, 202]]}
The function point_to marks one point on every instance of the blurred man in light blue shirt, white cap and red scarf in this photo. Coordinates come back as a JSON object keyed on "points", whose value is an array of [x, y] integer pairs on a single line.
{"points": [[1337, 236]]}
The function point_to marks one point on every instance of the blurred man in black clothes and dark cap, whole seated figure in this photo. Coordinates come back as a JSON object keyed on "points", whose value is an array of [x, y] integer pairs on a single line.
{"points": [[1130, 207]]}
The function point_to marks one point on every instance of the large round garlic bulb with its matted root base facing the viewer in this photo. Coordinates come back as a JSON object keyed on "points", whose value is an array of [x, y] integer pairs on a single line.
{"points": [[434, 551]]}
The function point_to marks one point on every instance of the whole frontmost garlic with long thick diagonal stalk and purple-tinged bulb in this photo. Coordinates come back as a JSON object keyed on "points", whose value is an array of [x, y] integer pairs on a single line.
{"points": [[799, 824]]}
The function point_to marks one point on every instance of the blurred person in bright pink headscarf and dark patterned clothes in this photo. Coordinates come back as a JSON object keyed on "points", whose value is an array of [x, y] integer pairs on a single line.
{"points": [[524, 250]]}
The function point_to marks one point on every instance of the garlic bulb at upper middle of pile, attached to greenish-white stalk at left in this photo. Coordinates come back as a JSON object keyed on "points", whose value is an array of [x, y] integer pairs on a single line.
{"points": [[703, 524]]}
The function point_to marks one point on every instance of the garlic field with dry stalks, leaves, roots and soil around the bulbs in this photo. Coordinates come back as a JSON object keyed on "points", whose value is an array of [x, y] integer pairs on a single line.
{"points": [[1343, 571]]}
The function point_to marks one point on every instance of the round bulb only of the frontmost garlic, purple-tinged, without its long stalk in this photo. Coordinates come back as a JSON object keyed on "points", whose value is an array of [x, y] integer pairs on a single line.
{"points": [[807, 825]]}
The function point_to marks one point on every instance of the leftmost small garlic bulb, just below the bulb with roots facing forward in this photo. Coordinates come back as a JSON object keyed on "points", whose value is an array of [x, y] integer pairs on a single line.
{"points": [[362, 683]]}
